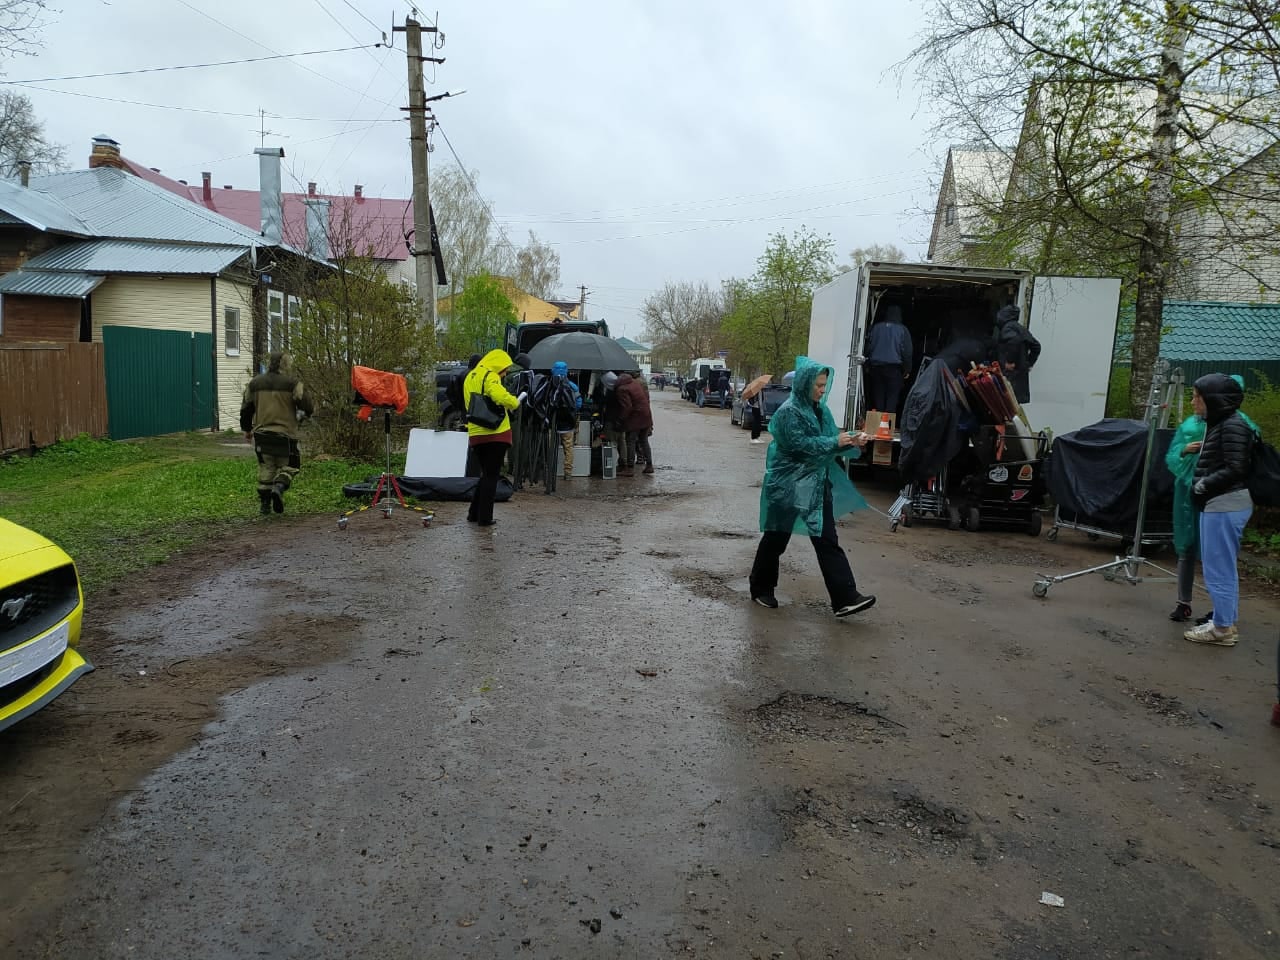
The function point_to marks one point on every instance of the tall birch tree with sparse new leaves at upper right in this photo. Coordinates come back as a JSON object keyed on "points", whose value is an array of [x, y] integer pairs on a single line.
{"points": [[1128, 126]]}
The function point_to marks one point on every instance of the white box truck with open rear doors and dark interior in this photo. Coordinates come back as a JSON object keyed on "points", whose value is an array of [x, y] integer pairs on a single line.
{"points": [[1075, 318]]}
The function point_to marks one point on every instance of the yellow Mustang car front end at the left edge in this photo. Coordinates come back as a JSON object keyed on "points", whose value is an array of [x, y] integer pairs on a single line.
{"points": [[42, 606]]}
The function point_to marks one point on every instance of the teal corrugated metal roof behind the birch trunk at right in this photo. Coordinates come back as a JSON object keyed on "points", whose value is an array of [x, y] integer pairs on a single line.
{"points": [[1215, 332]]}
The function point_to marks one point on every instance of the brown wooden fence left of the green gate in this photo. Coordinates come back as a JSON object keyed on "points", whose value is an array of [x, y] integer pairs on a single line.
{"points": [[51, 392]]}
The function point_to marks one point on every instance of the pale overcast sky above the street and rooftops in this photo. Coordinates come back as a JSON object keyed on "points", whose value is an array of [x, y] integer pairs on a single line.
{"points": [[647, 140]]}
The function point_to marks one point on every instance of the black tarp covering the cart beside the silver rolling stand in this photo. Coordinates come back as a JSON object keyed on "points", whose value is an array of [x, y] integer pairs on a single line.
{"points": [[1096, 473]]}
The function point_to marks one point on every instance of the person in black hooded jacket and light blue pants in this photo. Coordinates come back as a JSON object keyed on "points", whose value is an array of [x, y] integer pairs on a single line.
{"points": [[1220, 492]]}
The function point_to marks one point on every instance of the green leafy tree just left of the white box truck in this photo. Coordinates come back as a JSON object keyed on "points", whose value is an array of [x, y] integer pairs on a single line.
{"points": [[769, 319]]}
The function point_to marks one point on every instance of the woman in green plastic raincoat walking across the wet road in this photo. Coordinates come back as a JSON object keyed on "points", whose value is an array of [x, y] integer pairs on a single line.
{"points": [[806, 490]]}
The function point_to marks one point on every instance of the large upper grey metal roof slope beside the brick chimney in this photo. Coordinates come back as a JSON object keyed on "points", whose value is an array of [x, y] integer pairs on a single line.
{"points": [[115, 204]]}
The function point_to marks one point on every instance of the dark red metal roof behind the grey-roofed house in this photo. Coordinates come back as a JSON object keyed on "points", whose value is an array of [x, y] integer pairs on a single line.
{"points": [[378, 223]]}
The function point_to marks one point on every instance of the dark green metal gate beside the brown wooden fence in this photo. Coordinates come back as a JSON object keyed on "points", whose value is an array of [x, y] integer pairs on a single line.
{"points": [[158, 382]]}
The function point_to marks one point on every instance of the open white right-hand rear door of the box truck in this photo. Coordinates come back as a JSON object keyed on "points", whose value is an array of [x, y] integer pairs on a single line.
{"points": [[1075, 318]]}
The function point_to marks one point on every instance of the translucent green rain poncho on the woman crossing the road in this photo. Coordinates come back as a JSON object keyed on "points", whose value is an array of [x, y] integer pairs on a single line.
{"points": [[803, 459]]}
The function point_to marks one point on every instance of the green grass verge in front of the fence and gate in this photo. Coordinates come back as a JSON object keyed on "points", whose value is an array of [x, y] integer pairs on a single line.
{"points": [[118, 508]]}
